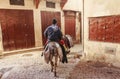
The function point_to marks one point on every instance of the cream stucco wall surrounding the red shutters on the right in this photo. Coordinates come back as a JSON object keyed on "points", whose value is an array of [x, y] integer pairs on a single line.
{"points": [[98, 50]]}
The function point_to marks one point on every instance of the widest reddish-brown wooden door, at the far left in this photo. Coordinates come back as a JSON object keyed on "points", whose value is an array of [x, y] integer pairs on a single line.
{"points": [[17, 29]]}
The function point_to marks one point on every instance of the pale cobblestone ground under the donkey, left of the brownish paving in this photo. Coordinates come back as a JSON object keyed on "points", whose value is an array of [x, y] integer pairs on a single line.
{"points": [[32, 66]]}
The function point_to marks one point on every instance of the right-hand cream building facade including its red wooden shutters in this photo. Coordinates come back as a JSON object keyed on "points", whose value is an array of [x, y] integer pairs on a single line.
{"points": [[102, 30]]}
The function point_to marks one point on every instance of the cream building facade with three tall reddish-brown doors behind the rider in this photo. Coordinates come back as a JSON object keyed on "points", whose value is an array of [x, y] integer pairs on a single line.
{"points": [[23, 23]]}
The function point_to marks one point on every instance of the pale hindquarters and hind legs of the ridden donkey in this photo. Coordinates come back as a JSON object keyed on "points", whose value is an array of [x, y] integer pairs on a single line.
{"points": [[53, 49]]}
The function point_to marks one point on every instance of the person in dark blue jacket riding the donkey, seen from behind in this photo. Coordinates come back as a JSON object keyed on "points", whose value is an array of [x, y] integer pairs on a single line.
{"points": [[53, 33]]}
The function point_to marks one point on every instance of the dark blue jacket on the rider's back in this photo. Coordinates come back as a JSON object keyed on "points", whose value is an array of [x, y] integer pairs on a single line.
{"points": [[53, 33]]}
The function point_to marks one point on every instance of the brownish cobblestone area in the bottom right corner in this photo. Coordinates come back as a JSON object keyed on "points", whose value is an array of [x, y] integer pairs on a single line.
{"points": [[94, 70]]}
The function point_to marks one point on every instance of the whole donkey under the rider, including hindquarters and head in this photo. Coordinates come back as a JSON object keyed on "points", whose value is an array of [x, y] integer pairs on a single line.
{"points": [[53, 51]]}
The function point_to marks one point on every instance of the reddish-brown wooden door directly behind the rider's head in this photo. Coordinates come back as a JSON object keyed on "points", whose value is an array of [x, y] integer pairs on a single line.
{"points": [[46, 20]]}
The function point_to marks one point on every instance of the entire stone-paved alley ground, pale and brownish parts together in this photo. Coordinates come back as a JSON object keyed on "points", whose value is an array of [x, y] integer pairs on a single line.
{"points": [[32, 66]]}
